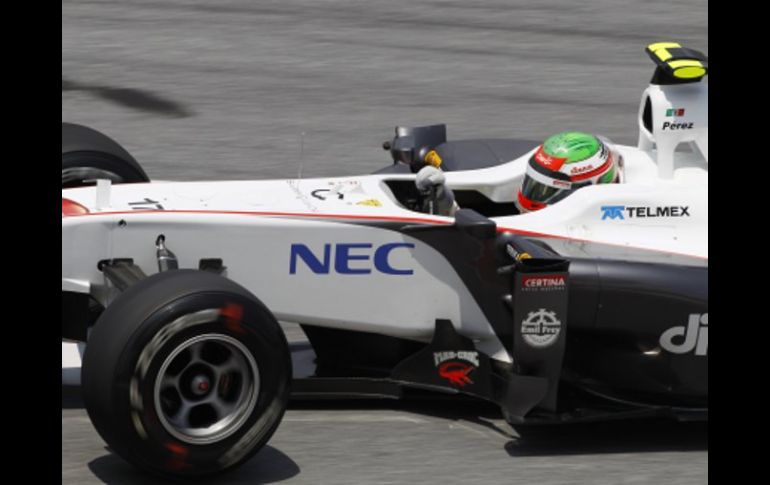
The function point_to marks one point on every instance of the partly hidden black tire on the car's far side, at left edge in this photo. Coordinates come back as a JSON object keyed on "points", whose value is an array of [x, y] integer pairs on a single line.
{"points": [[88, 155]]}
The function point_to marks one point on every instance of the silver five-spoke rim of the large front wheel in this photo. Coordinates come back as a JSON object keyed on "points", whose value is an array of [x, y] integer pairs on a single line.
{"points": [[206, 388]]}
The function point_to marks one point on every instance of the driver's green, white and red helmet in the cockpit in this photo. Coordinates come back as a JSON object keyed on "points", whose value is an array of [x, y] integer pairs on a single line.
{"points": [[564, 163]]}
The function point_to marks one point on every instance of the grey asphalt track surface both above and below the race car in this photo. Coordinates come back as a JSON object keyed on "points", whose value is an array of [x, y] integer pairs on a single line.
{"points": [[243, 89]]}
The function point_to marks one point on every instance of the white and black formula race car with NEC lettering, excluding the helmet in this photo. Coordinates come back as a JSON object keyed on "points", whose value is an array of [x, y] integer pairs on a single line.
{"points": [[594, 307]]}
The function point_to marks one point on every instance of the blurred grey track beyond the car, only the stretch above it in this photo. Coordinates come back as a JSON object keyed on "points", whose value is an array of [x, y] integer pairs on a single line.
{"points": [[224, 89]]}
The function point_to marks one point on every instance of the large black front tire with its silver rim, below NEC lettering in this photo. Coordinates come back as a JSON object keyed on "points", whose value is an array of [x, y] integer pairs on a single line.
{"points": [[186, 374]]}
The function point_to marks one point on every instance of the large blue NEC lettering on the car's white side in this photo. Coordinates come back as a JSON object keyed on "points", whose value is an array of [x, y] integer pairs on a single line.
{"points": [[348, 259]]}
